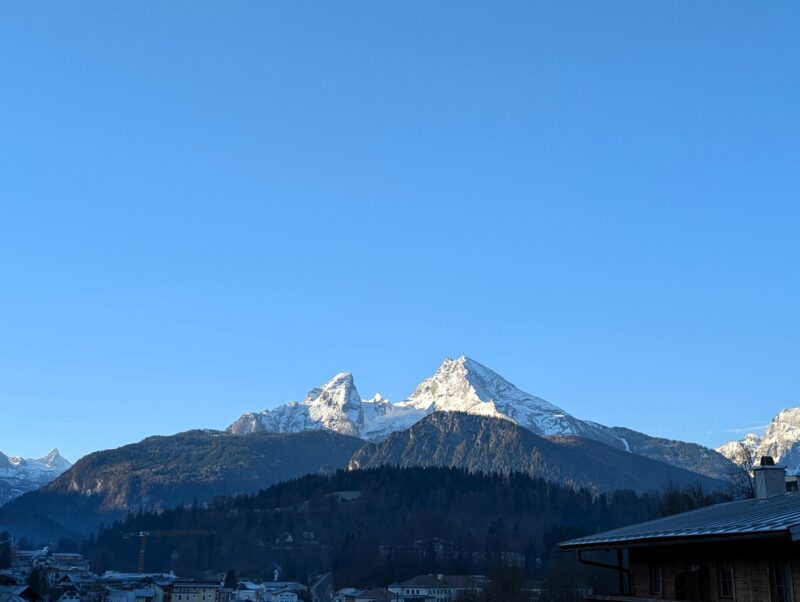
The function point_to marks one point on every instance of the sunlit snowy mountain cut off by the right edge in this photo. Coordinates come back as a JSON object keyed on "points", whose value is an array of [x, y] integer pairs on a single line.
{"points": [[781, 440]]}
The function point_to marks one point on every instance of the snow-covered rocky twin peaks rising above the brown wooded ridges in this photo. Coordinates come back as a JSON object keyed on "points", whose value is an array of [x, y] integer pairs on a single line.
{"points": [[464, 385]]}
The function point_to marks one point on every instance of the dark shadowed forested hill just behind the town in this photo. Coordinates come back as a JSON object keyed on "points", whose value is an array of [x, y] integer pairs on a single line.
{"points": [[373, 526]]}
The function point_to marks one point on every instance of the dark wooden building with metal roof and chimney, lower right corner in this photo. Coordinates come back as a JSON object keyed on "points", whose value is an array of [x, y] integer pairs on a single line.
{"points": [[744, 551]]}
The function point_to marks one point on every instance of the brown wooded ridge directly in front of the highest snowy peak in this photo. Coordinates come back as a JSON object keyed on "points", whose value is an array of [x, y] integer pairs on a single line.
{"points": [[489, 444]]}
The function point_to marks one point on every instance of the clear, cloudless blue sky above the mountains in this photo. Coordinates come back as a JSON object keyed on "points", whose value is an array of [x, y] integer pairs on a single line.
{"points": [[211, 207]]}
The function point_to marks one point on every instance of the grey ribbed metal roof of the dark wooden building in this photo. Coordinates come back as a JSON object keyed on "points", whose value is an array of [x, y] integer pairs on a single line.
{"points": [[768, 517]]}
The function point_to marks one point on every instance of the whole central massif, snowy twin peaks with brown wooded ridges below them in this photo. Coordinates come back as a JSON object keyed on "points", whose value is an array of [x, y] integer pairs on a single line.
{"points": [[464, 415]]}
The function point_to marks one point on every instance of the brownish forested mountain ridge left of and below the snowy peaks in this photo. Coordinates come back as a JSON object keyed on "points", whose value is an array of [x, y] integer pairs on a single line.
{"points": [[162, 472]]}
